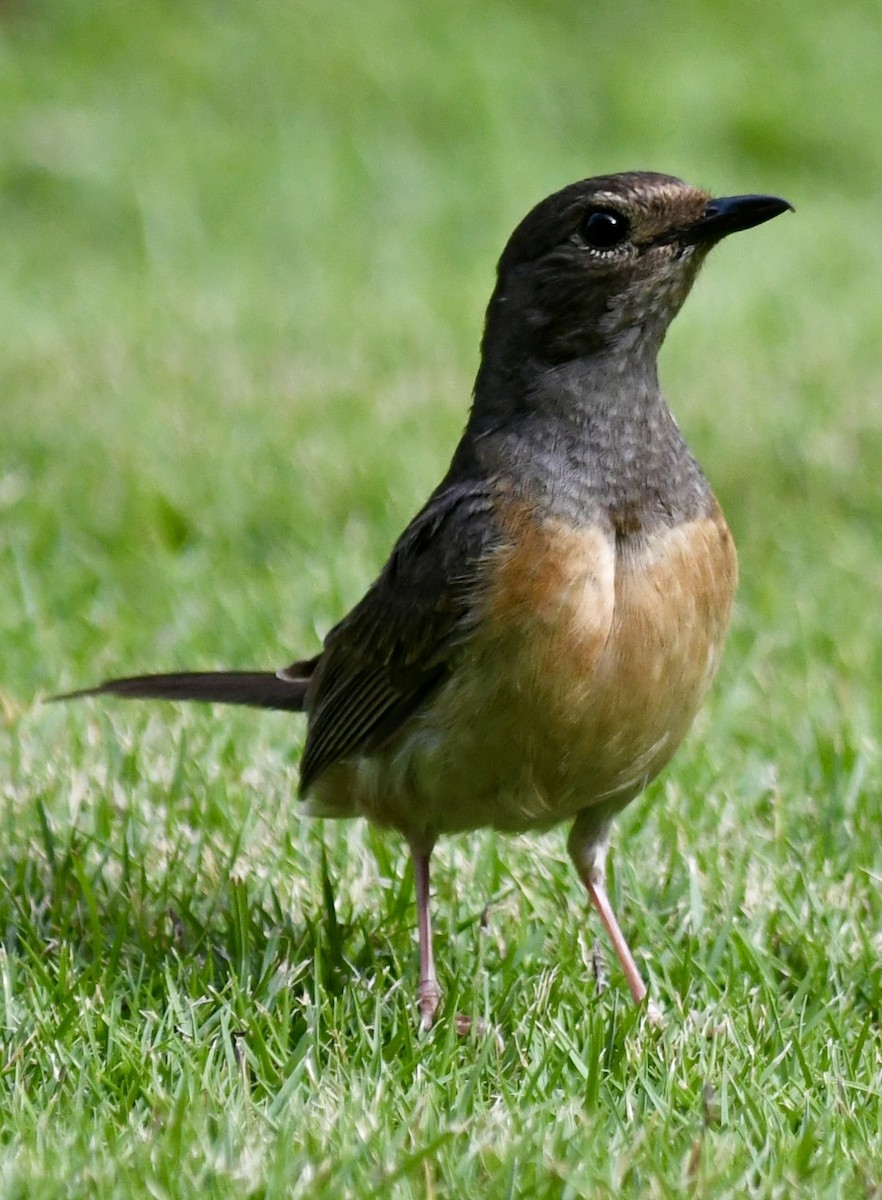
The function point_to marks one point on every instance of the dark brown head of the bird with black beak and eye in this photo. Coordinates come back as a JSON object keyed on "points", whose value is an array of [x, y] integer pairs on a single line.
{"points": [[607, 263]]}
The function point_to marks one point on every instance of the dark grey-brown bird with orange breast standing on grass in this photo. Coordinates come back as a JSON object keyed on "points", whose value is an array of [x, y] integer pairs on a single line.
{"points": [[547, 627]]}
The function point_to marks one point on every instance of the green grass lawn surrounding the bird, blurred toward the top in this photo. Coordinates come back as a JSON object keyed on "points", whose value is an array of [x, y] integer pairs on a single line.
{"points": [[244, 260]]}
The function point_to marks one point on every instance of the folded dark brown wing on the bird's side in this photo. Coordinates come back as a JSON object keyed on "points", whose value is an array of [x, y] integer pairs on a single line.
{"points": [[381, 663]]}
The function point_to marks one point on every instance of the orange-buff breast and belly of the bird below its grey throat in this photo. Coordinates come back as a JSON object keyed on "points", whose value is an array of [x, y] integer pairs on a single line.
{"points": [[587, 669]]}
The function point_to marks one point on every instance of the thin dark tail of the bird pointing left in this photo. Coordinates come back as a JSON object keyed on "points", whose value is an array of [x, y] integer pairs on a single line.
{"points": [[259, 689]]}
